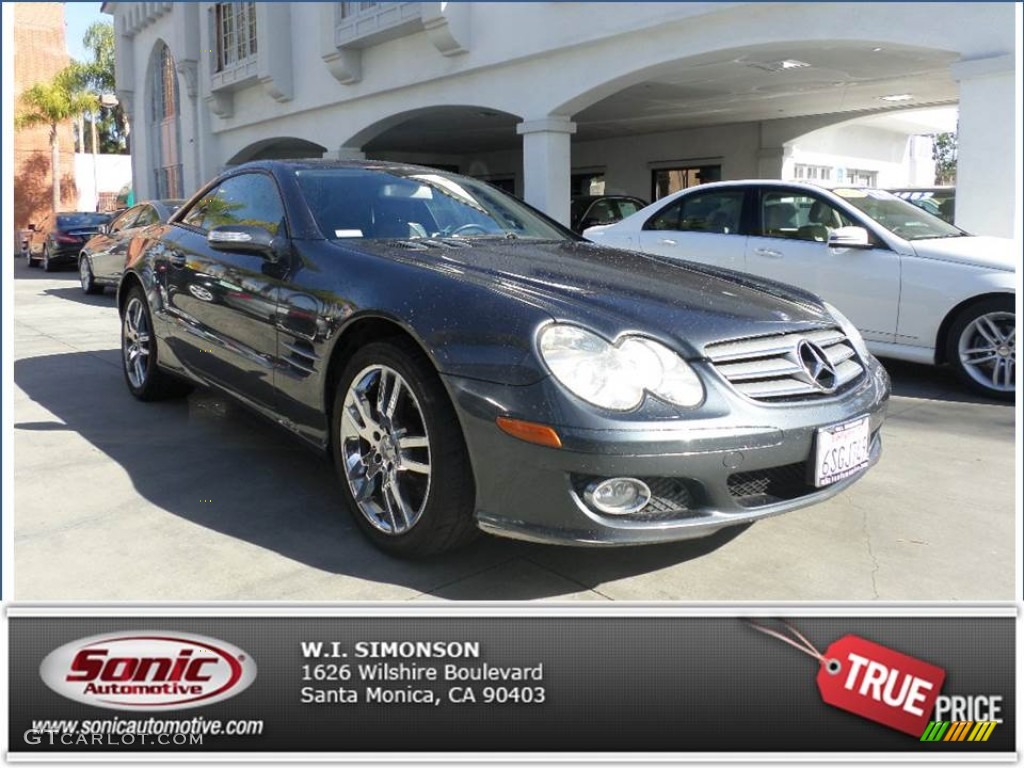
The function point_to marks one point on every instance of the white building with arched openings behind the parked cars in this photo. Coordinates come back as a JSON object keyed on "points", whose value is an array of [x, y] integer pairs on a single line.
{"points": [[547, 98]]}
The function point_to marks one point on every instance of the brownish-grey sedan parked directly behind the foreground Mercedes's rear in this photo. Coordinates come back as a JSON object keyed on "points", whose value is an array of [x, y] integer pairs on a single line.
{"points": [[103, 259]]}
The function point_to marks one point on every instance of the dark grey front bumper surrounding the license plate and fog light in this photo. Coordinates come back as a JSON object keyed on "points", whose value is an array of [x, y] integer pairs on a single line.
{"points": [[731, 462]]}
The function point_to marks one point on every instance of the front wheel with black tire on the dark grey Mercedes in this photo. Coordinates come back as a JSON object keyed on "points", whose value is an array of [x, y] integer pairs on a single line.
{"points": [[402, 459]]}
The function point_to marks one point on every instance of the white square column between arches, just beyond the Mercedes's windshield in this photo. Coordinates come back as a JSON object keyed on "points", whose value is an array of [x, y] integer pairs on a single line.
{"points": [[546, 165]]}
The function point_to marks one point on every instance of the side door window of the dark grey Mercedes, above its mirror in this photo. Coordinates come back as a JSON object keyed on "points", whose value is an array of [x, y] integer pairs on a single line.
{"points": [[247, 199]]}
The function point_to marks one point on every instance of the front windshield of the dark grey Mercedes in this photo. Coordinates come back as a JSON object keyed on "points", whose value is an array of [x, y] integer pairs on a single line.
{"points": [[360, 203]]}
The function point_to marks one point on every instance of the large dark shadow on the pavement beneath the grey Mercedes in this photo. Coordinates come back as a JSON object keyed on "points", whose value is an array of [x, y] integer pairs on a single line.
{"points": [[219, 465]]}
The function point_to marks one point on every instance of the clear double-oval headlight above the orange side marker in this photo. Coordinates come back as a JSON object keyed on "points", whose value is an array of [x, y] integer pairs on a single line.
{"points": [[616, 376]]}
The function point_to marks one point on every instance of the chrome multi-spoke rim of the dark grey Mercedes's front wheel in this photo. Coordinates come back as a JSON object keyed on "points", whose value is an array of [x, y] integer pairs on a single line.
{"points": [[387, 450]]}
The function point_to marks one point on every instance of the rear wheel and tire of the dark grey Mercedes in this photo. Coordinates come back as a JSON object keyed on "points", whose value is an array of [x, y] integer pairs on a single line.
{"points": [[139, 354]]}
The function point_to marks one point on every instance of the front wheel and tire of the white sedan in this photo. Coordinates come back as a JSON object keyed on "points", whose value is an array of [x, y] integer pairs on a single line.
{"points": [[983, 348]]}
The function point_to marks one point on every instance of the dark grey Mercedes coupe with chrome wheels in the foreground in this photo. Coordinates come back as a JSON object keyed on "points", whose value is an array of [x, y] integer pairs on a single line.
{"points": [[468, 364]]}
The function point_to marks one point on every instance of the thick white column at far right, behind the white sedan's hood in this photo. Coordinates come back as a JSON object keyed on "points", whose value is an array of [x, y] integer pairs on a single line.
{"points": [[987, 194]]}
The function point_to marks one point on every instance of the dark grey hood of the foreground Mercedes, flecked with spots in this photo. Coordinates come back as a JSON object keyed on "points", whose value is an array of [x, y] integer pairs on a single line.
{"points": [[616, 292]]}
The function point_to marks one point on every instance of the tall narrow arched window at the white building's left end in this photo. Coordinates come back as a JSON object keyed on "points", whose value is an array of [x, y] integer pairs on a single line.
{"points": [[165, 126]]}
